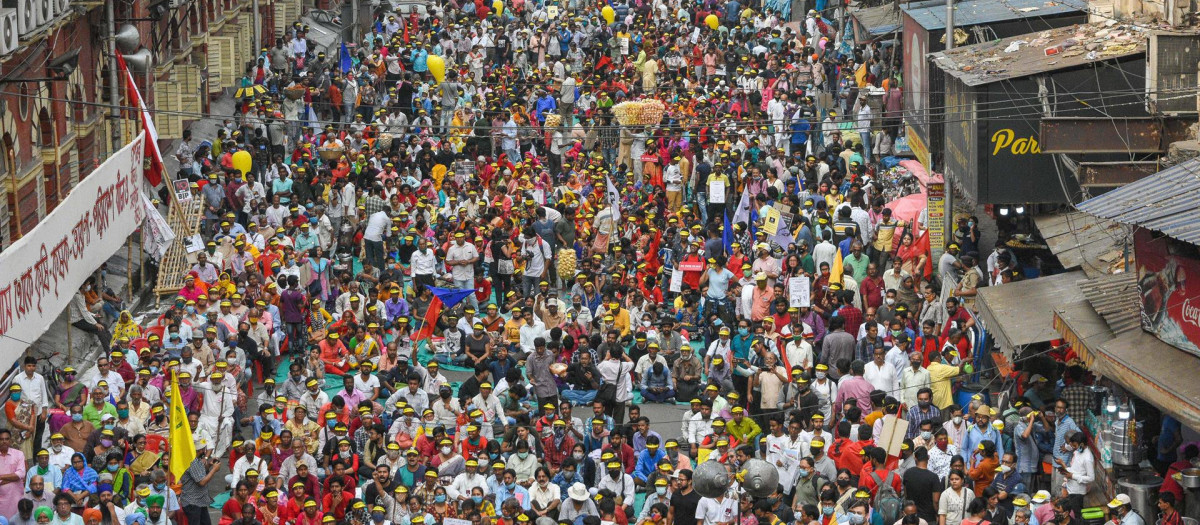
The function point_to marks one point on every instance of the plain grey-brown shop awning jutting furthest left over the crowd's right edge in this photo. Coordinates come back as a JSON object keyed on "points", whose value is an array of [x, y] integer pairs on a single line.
{"points": [[1022, 313]]}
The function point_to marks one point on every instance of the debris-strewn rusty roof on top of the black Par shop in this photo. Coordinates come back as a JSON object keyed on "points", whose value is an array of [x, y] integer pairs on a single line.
{"points": [[1027, 55]]}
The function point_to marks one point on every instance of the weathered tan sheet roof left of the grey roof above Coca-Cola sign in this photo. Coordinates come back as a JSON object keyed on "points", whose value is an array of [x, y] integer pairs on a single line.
{"points": [[1082, 242]]}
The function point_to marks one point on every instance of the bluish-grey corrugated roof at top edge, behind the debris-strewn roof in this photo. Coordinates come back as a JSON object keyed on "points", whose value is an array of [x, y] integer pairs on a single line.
{"points": [[975, 13]]}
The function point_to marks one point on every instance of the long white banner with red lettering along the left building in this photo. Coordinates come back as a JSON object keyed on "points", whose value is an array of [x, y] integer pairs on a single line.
{"points": [[43, 271]]}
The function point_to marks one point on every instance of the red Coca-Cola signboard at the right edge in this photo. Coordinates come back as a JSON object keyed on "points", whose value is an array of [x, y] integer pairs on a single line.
{"points": [[1171, 309]]}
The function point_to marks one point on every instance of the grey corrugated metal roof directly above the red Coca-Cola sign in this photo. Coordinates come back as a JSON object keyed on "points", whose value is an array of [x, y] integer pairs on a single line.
{"points": [[1165, 202]]}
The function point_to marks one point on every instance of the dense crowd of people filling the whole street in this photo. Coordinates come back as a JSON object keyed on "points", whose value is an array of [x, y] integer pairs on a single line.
{"points": [[734, 257]]}
